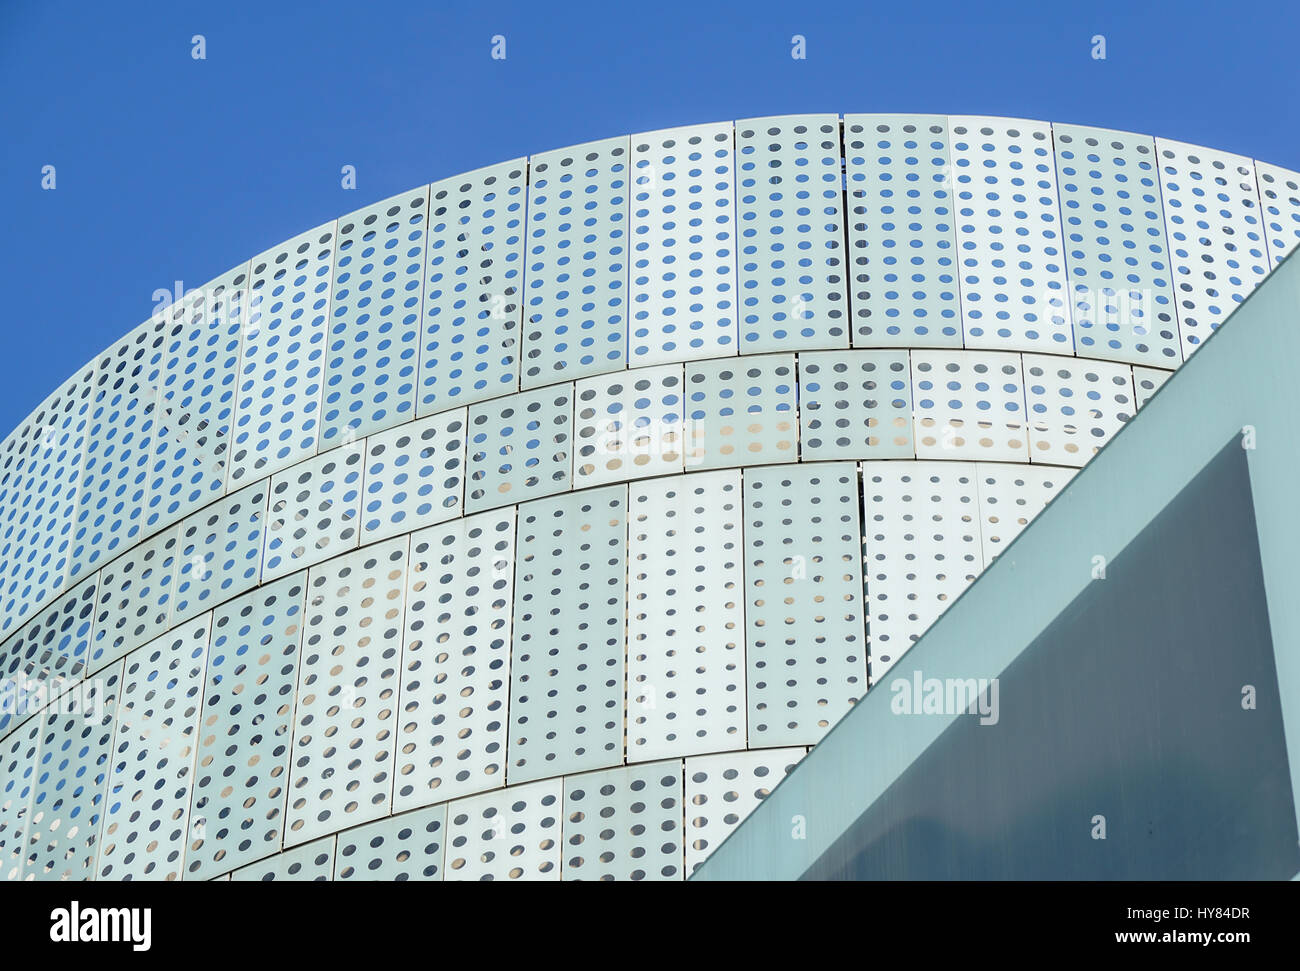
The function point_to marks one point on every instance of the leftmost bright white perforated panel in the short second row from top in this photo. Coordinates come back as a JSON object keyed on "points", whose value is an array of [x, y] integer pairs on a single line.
{"points": [[315, 511]]}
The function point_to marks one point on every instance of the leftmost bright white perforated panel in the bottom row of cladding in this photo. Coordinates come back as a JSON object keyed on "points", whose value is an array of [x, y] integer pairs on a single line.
{"points": [[506, 835]]}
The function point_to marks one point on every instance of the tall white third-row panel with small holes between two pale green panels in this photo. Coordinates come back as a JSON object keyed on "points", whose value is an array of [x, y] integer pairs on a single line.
{"points": [[686, 617]]}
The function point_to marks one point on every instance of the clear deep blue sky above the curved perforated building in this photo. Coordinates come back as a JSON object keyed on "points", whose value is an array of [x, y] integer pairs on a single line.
{"points": [[171, 168]]}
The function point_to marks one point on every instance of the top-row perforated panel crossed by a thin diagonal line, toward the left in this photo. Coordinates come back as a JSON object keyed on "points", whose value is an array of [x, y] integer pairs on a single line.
{"points": [[196, 398]]}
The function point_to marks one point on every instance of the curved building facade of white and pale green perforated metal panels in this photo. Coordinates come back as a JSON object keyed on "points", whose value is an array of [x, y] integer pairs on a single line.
{"points": [[535, 523]]}
